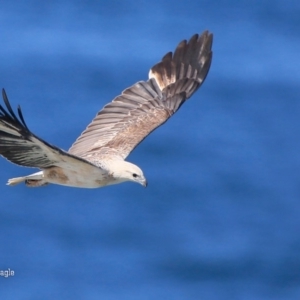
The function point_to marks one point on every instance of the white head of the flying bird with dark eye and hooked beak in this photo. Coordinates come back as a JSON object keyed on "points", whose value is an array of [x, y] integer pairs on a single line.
{"points": [[126, 171]]}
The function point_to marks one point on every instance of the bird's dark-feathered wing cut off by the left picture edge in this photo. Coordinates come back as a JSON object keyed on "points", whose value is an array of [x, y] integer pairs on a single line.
{"points": [[22, 147]]}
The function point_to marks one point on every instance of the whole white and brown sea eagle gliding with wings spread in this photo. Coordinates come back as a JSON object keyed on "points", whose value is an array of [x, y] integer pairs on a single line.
{"points": [[97, 157]]}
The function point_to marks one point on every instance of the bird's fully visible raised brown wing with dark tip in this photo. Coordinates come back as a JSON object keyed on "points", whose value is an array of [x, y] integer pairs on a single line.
{"points": [[122, 124]]}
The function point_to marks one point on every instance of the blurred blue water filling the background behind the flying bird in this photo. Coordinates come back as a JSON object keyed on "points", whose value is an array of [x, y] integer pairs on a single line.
{"points": [[220, 218]]}
